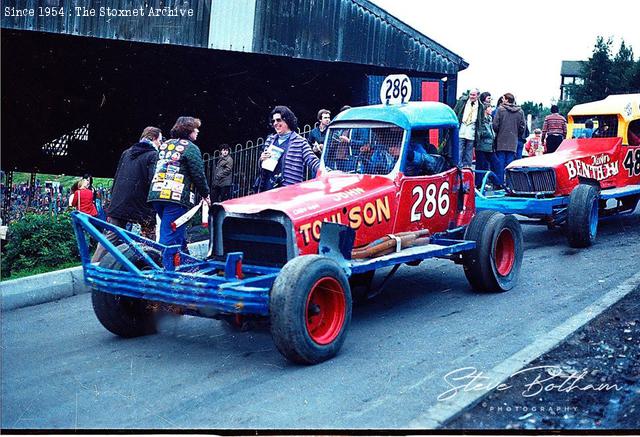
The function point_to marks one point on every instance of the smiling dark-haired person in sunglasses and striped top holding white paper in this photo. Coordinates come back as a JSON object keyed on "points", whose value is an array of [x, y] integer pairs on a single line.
{"points": [[296, 153]]}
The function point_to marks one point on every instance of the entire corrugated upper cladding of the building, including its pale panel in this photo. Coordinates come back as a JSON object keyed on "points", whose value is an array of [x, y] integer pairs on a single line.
{"points": [[354, 31]]}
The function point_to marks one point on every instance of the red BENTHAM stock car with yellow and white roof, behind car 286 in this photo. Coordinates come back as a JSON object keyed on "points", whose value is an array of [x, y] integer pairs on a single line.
{"points": [[594, 173]]}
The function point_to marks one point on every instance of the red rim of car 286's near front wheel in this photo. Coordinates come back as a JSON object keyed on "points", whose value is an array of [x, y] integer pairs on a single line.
{"points": [[325, 310]]}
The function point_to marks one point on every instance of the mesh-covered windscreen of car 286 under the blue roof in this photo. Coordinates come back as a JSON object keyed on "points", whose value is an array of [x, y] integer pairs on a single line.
{"points": [[363, 150]]}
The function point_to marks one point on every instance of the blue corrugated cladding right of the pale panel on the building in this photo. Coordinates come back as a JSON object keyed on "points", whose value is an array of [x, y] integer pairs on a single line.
{"points": [[348, 31]]}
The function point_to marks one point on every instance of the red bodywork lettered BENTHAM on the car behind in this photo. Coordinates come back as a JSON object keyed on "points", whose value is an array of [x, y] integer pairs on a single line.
{"points": [[599, 159]]}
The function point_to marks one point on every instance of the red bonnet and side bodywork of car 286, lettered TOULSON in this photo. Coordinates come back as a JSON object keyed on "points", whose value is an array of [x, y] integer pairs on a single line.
{"points": [[373, 206]]}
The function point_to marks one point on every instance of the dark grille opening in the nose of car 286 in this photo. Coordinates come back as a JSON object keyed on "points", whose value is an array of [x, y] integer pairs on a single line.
{"points": [[263, 242]]}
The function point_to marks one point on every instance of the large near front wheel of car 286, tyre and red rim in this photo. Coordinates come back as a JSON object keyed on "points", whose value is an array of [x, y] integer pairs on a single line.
{"points": [[310, 309]]}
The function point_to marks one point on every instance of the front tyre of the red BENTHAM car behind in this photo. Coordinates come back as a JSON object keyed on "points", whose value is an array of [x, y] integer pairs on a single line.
{"points": [[582, 216]]}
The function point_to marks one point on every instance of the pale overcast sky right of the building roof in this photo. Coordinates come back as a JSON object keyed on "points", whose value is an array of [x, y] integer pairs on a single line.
{"points": [[516, 46]]}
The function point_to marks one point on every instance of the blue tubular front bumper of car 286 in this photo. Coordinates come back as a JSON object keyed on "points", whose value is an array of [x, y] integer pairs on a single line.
{"points": [[210, 287]]}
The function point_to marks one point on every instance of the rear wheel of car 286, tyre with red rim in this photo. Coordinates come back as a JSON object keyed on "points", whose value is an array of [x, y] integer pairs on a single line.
{"points": [[494, 264]]}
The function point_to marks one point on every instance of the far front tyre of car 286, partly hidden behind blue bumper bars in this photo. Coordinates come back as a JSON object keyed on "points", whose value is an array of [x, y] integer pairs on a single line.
{"points": [[123, 315]]}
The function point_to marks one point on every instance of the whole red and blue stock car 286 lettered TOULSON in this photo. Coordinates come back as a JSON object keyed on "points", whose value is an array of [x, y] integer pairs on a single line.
{"points": [[301, 254]]}
